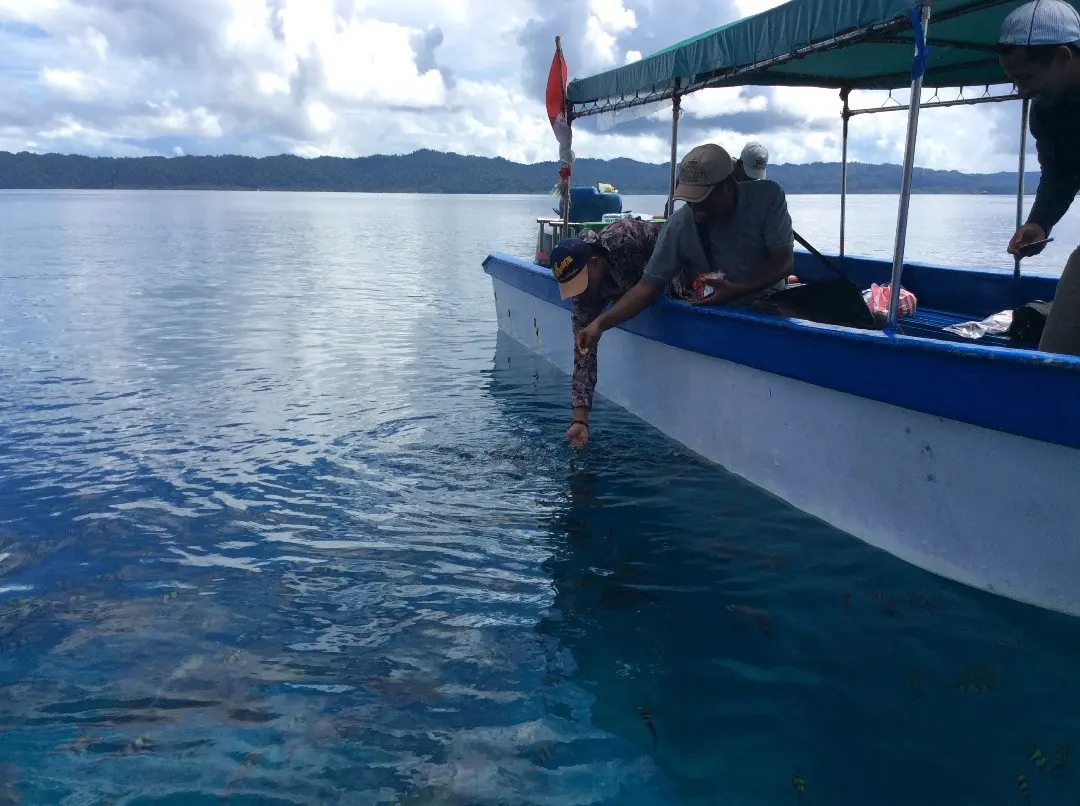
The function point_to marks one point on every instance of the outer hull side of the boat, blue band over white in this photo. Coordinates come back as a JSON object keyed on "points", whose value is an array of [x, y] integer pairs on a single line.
{"points": [[960, 460]]}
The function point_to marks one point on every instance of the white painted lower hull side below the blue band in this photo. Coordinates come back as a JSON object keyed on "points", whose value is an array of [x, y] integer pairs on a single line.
{"points": [[990, 509]]}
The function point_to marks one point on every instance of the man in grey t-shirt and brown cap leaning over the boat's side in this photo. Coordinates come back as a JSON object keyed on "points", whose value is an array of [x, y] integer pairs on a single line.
{"points": [[749, 232]]}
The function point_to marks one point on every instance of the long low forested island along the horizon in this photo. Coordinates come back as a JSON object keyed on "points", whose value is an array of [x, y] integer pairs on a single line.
{"points": [[438, 172]]}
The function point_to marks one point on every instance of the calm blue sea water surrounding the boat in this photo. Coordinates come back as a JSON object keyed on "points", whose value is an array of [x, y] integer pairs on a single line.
{"points": [[283, 521]]}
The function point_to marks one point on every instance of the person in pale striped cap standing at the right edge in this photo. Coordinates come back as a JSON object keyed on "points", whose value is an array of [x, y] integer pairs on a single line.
{"points": [[1039, 50]]}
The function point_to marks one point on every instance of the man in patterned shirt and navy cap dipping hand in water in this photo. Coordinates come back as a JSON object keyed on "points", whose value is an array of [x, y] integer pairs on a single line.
{"points": [[596, 270]]}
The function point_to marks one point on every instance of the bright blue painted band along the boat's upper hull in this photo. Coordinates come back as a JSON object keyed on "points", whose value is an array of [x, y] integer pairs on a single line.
{"points": [[1023, 393]]}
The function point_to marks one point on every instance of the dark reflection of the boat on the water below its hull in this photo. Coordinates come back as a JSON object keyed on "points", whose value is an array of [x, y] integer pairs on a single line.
{"points": [[776, 657]]}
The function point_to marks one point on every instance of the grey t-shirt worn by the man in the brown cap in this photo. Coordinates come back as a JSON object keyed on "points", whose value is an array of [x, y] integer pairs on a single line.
{"points": [[741, 241]]}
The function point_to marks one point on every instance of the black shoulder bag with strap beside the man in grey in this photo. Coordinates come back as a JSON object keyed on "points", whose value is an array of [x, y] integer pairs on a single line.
{"points": [[836, 302]]}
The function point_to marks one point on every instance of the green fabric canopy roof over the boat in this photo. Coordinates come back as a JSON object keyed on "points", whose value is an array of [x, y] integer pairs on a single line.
{"points": [[859, 45]]}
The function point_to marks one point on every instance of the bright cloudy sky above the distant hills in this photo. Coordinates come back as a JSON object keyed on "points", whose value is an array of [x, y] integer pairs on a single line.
{"points": [[350, 78]]}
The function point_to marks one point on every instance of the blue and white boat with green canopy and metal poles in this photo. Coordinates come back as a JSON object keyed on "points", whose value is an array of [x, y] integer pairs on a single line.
{"points": [[960, 456]]}
